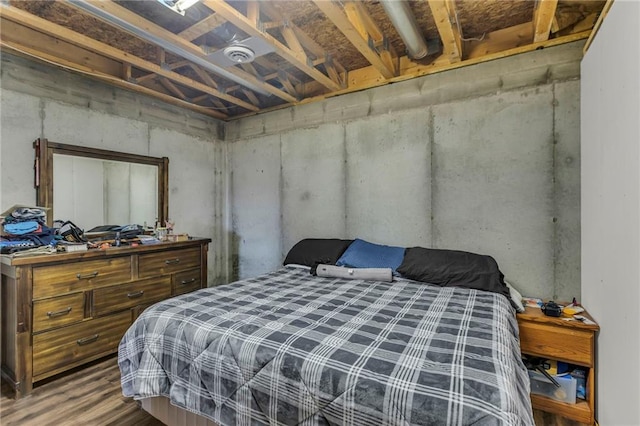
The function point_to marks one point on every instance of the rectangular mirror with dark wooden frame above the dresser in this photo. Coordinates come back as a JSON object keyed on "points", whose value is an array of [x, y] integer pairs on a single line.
{"points": [[94, 187]]}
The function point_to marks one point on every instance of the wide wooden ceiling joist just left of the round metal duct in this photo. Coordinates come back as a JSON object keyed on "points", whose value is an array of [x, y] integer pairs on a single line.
{"points": [[336, 15]]}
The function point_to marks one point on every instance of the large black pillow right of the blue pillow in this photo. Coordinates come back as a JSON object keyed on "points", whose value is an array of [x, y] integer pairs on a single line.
{"points": [[453, 268]]}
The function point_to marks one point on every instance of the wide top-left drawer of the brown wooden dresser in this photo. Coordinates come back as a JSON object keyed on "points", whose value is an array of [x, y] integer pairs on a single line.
{"points": [[71, 277]]}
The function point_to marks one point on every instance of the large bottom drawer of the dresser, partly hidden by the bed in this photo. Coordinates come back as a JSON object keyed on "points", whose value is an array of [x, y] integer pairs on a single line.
{"points": [[74, 343]]}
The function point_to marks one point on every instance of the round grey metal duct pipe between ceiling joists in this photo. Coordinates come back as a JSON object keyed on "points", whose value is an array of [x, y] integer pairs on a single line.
{"points": [[405, 23]]}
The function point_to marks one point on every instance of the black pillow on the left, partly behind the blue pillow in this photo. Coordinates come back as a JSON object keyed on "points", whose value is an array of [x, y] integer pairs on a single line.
{"points": [[312, 251]]}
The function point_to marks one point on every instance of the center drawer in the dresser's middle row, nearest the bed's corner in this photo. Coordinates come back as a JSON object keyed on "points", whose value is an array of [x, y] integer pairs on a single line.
{"points": [[123, 296]]}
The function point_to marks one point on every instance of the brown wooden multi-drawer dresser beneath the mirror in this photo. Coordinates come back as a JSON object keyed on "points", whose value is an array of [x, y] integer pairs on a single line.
{"points": [[63, 310]]}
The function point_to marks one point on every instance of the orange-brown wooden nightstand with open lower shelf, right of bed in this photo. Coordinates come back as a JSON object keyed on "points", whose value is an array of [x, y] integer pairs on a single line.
{"points": [[562, 340]]}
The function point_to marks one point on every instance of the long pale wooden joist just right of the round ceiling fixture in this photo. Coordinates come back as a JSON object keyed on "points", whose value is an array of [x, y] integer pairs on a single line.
{"points": [[295, 58]]}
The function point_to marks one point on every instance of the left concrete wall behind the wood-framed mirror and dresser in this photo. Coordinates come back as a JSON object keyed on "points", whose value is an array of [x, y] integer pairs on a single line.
{"points": [[41, 101]]}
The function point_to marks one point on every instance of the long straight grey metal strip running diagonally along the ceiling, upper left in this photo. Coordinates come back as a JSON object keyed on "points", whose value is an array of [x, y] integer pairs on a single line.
{"points": [[129, 27]]}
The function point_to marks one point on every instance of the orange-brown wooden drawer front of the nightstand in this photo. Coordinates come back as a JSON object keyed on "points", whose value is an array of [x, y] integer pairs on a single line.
{"points": [[556, 342]]}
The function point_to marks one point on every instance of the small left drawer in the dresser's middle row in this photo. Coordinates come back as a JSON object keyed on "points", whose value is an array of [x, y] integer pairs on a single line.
{"points": [[59, 311]]}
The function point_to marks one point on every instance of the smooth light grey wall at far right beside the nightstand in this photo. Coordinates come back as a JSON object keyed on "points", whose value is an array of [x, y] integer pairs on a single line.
{"points": [[611, 209]]}
